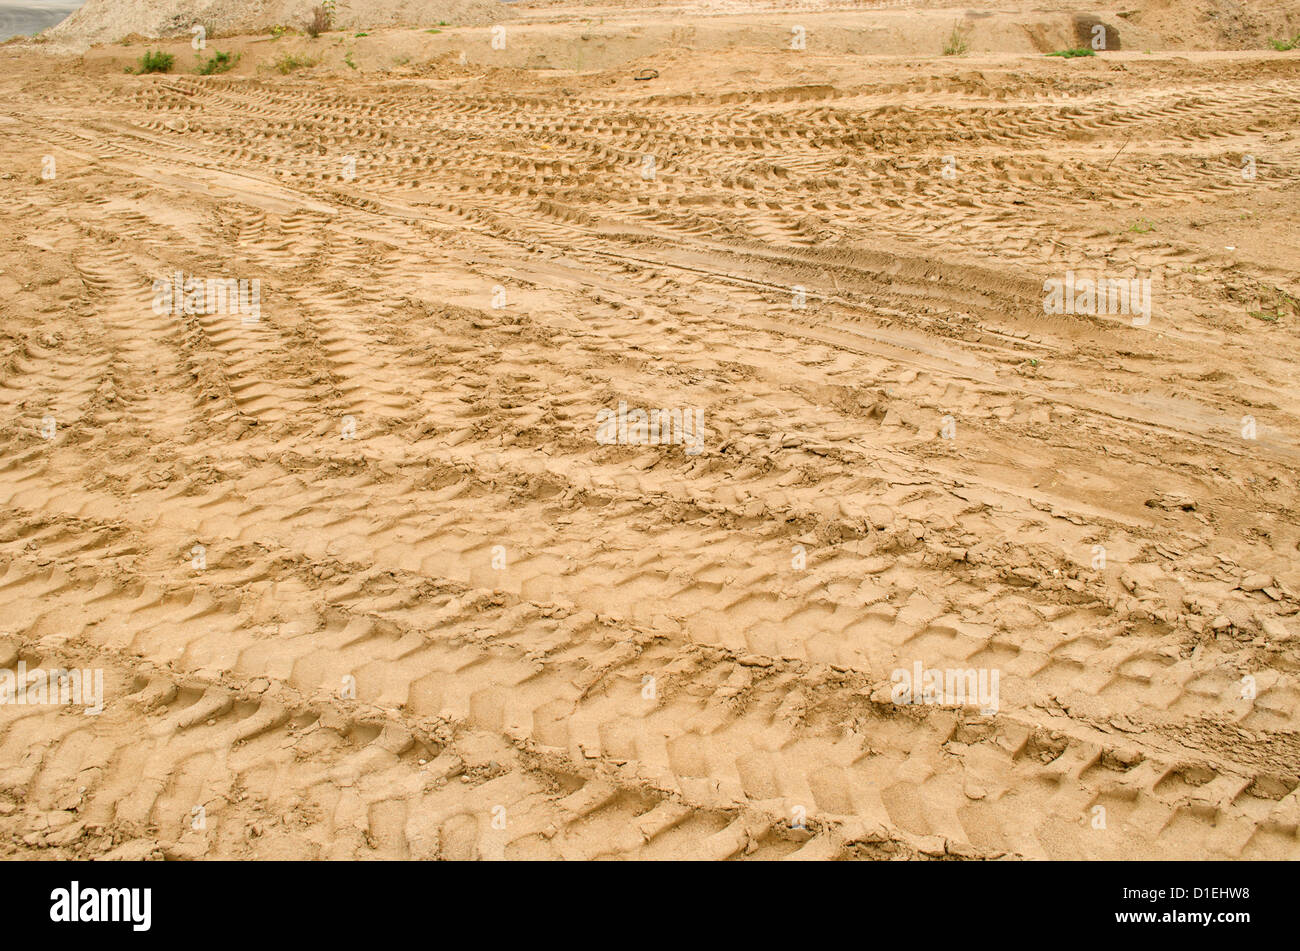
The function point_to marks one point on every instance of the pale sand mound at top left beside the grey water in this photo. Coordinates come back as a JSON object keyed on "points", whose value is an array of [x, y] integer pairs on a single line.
{"points": [[103, 21]]}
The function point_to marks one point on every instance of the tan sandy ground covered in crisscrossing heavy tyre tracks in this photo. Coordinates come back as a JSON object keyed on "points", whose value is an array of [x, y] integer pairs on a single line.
{"points": [[365, 583]]}
